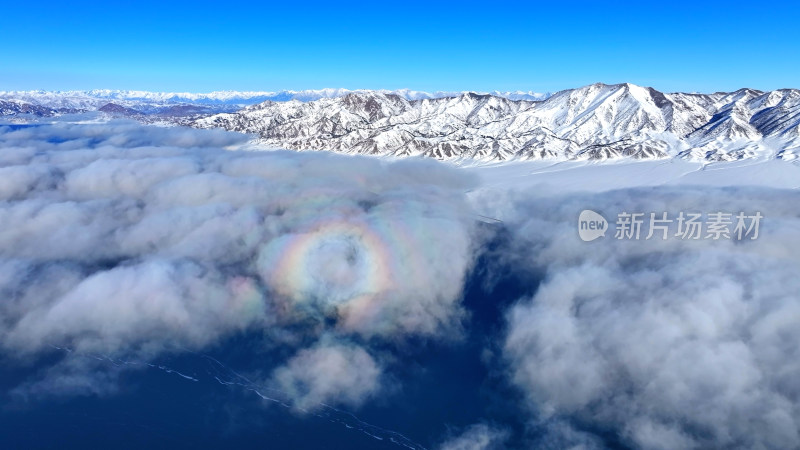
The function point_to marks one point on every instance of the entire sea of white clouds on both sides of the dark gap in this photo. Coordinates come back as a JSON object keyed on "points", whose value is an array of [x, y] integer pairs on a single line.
{"points": [[133, 241]]}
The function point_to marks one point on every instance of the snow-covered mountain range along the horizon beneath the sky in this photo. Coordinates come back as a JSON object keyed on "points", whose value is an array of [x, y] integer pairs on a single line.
{"points": [[594, 122]]}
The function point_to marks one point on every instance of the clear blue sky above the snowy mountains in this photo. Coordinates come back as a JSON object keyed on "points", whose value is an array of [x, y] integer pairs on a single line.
{"points": [[203, 46]]}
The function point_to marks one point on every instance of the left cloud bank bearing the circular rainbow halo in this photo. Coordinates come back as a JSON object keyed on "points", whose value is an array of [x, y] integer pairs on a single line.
{"points": [[120, 238]]}
